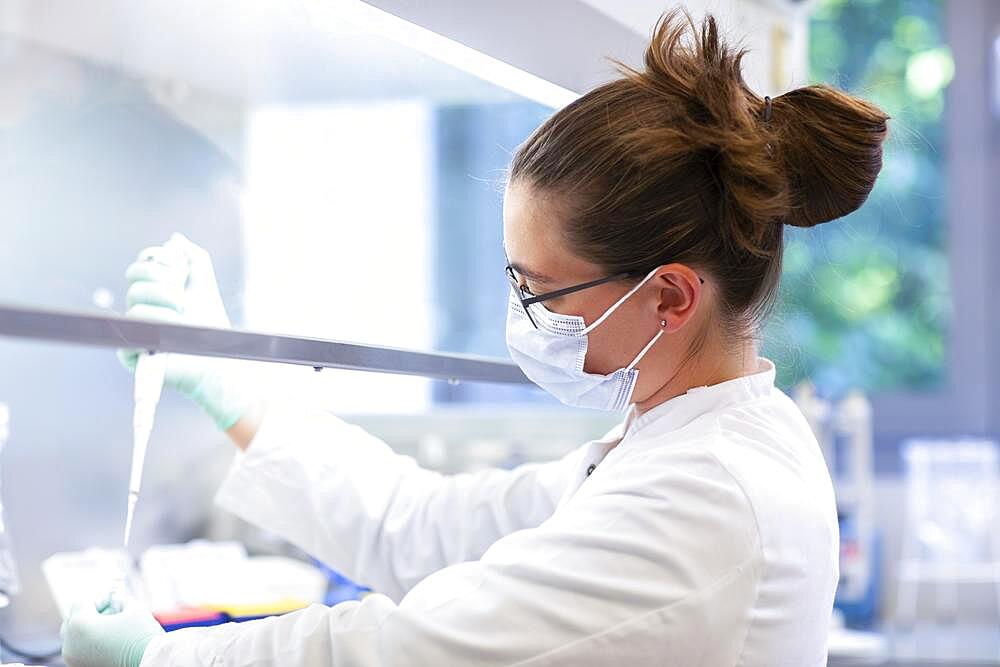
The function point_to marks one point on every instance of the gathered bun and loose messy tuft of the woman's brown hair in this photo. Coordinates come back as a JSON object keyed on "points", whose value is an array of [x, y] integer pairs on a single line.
{"points": [[805, 157]]}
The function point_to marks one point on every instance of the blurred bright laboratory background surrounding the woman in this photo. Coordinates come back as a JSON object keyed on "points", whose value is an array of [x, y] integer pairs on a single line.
{"points": [[344, 163]]}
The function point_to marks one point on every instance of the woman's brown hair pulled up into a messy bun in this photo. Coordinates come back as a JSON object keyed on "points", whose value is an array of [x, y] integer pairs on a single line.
{"points": [[682, 162]]}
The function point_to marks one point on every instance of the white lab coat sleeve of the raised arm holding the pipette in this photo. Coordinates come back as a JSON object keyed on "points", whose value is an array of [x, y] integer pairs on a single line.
{"points": [[346, 498]]}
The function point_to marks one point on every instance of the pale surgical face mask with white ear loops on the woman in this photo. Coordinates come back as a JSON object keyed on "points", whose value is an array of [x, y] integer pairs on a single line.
{"points": [[552, 355]]}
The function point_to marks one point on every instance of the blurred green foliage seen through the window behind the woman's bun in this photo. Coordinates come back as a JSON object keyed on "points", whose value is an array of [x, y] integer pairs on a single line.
{"points": [[864, 300]]}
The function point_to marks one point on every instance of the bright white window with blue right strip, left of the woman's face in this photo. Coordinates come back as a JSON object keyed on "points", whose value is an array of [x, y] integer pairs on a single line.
{"points": [[381, 222]]}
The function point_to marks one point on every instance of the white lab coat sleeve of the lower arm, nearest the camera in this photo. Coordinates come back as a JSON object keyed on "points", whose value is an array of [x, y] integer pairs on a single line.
{"points": [[650, 565]]}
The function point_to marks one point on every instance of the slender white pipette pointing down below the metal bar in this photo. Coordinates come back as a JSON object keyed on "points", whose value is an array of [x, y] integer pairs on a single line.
{"points": [[150, 370]]}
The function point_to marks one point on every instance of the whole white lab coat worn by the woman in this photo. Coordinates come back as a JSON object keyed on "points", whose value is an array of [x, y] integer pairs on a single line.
{"points": [[705, 535]]}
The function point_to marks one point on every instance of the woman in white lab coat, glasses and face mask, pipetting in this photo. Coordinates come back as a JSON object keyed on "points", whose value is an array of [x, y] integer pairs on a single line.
{"points": [[643, 226]]}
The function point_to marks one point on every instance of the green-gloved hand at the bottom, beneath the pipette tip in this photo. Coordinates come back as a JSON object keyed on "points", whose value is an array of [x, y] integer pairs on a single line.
{"points": [[93, 636]]}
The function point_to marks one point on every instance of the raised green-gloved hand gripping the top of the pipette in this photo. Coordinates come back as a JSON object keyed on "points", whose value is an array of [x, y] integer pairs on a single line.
{"points": [[175, 282]]}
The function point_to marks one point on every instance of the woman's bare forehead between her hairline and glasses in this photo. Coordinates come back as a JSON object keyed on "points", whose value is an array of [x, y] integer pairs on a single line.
{"points": [[532, 233]]}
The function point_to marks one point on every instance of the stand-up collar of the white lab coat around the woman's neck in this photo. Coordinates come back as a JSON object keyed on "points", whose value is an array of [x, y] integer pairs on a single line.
{"points": [[681, 410]]}
